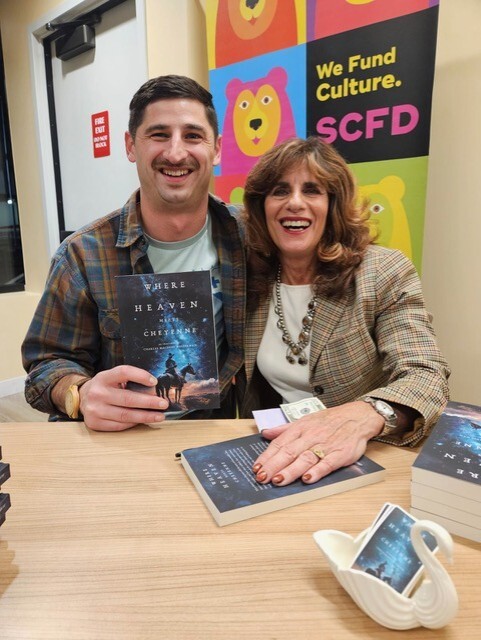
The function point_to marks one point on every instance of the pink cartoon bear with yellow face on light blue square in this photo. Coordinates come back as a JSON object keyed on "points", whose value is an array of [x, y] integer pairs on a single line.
{"points": [[258, 116]]}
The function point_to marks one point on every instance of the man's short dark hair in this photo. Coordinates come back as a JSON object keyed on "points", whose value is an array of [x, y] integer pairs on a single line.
{"points": [[170, 88]]}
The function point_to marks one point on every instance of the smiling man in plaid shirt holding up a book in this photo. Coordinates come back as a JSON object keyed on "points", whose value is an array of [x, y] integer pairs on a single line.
{"points": [[73, 352]]}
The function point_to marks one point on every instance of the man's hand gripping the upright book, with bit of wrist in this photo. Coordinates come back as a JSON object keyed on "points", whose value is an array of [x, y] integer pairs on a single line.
{"points": [[106, 404]]}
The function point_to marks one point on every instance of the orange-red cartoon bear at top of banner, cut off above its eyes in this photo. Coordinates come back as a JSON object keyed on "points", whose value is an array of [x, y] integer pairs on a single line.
{"points": [[249, 28]]}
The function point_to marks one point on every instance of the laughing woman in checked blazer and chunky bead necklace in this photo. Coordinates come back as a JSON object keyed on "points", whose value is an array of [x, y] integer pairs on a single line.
{"points": [[330, 315]]}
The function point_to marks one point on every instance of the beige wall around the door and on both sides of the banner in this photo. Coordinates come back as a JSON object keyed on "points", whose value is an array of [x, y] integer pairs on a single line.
{"points": [[452, 258]]}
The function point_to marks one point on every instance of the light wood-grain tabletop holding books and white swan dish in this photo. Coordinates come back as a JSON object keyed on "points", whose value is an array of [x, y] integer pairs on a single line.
{"points": [[107, 539]]}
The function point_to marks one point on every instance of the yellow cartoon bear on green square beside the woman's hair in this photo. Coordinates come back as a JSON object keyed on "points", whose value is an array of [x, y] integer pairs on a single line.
{"points": [[388, 219]]}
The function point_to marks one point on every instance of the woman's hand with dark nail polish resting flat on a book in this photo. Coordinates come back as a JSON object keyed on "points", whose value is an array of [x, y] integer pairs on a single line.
{"points": [[339, 435]]}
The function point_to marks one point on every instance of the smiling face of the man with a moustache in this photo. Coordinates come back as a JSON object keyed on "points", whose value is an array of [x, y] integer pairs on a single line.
{"points": [[174, 149]]}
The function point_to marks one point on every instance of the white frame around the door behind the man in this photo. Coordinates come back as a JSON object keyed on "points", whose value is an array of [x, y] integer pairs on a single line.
{"points": [[37, 32]]}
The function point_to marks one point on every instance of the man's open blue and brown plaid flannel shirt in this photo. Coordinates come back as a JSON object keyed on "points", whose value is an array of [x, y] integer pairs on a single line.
{"points": [[76, 327]]}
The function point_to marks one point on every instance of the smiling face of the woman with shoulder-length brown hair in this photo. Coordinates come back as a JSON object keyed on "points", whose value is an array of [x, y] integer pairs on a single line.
{"points": [[296, 212]]}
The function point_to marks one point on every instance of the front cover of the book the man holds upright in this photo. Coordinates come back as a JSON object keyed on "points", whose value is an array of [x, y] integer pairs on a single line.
{"points": [[168, 328]]}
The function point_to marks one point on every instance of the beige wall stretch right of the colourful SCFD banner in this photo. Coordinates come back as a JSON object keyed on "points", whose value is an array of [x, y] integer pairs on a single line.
{"points": [[452, 255]]}
